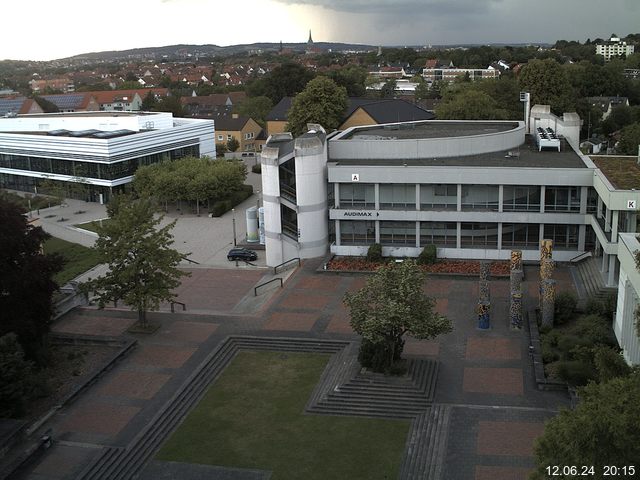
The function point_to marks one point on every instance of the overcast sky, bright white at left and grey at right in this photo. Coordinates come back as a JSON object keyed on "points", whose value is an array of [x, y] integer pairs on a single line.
{"points": [[46, 30]]}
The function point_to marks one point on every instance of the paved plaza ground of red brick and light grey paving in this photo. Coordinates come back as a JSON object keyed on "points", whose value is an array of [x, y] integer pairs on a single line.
{"points": [[485, 378]]}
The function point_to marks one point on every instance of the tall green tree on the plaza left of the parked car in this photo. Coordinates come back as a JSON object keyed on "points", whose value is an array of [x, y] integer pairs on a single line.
{"points": [[143, 268]]}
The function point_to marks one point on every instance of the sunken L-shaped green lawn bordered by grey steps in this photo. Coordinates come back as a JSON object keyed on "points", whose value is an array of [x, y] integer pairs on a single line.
{"points": [[252, 417]]}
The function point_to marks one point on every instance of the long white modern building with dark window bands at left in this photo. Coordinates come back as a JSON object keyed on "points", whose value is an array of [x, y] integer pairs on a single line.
{"points": [[101, 149]]}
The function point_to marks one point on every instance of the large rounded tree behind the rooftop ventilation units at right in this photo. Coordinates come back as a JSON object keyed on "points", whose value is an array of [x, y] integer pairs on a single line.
{"points": [[548, 84]]}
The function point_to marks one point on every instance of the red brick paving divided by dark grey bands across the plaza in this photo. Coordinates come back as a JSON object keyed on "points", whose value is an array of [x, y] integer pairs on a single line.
{"points": [[486, 377]]}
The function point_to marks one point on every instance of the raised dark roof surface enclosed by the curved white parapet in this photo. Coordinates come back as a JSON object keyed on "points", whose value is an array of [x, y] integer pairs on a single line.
{"points": [[428, 129]]}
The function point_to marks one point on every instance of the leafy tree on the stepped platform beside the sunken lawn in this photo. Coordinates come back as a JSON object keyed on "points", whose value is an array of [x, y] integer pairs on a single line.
{"points": [[390, 305]]}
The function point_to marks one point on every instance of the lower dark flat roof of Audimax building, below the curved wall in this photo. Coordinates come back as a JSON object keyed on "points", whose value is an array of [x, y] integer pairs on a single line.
{"points": [[527, 155]]}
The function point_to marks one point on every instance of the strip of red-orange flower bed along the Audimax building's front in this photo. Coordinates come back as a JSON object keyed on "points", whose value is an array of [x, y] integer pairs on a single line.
{"points": [[458, 267]]}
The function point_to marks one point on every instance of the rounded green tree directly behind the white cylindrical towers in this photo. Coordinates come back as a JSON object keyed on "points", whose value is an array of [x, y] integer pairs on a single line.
{"points": [[322, 101]]}
